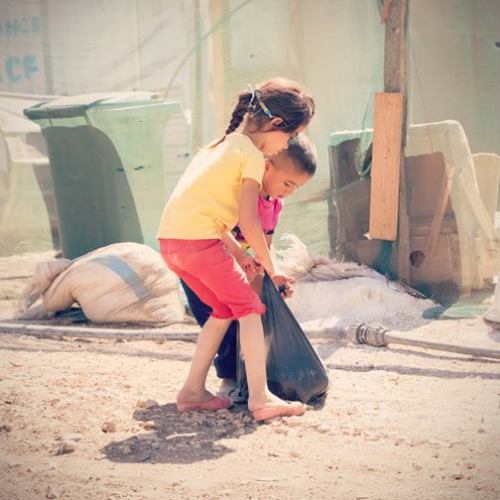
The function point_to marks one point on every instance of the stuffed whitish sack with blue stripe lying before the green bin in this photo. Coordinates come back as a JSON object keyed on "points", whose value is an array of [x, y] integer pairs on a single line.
{"points": [[123, 282]]}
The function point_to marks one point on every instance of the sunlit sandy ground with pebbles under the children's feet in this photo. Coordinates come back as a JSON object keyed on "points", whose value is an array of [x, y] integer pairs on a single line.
{"points": [[397, 422]]}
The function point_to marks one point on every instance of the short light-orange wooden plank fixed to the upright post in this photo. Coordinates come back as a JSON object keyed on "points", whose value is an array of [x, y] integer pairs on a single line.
{"points": [[385, 171]]}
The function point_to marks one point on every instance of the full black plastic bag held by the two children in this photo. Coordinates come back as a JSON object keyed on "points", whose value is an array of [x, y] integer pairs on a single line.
{"points": [[294, 369]]}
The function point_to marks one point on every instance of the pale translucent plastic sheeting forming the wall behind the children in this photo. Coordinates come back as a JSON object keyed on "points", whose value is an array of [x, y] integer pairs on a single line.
{"points": [[200, 53]]}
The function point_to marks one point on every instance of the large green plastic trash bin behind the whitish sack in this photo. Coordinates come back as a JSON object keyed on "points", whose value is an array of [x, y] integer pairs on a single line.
{"points": [[106, 157]]}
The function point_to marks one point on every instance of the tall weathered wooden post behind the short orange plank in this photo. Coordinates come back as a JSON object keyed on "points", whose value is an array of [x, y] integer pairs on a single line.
{"points": [[395, 77]]}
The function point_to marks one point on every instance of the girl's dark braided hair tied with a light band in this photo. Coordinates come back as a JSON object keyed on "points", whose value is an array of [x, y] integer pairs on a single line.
{"points": [[275, 98]]}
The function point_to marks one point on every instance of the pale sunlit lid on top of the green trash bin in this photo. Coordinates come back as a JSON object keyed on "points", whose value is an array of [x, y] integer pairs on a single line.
{"points": [[77, 105]]}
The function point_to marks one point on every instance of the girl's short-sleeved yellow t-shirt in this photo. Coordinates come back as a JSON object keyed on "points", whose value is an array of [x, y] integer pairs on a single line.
{"points": [[205, 202]]}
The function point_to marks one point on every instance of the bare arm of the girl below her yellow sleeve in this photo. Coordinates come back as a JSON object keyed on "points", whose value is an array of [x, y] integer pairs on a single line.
{"points": [[250, 225]]}
